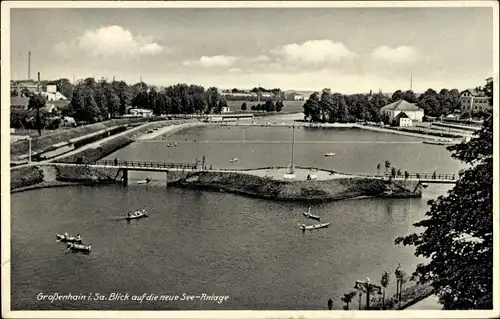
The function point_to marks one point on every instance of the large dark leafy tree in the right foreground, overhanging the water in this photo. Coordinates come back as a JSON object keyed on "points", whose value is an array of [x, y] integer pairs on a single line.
{"points": [[458, 235]]}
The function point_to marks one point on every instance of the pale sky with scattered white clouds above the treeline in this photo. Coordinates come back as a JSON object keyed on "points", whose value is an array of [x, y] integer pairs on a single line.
{"points": [[349, 50]]}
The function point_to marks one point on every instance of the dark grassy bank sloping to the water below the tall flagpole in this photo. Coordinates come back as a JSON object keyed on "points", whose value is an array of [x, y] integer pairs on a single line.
{"points": [[262, 187]]}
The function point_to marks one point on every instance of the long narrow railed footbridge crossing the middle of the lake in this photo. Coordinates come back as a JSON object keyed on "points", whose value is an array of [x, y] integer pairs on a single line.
{"points": [[125, 166]]}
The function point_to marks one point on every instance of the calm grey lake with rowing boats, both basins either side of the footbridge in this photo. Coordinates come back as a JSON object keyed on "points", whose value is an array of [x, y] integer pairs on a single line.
{"points": [[198, 242]]}
